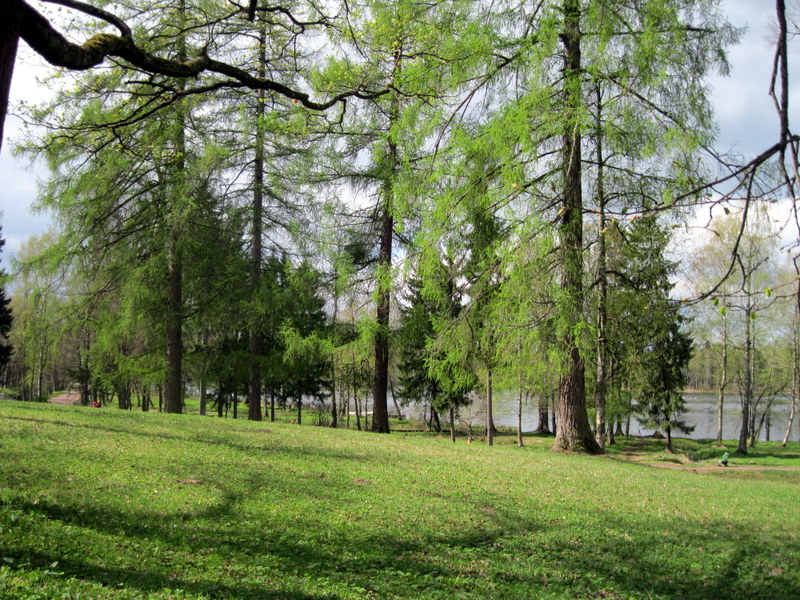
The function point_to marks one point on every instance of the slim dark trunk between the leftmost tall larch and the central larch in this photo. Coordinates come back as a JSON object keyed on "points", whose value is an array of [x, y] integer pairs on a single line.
{"points": [[256, 340]]}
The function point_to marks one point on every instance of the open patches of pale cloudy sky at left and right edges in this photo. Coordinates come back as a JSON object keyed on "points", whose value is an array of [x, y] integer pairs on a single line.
{"points": [[744, 111]]}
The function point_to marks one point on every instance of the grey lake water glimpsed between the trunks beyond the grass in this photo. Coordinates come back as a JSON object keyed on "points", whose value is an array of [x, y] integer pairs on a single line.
{"points": [[701, 412]]}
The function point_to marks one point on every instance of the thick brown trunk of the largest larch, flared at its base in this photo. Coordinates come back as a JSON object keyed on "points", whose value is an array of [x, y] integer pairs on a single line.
{"points": [[572, 430]]}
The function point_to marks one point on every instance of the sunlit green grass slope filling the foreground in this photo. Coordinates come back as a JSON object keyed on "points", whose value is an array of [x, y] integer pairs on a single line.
{"points": [[113, 504]]}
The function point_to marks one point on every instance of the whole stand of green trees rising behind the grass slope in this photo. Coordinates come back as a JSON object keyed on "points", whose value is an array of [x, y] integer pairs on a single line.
{"points": [[485, 200]]}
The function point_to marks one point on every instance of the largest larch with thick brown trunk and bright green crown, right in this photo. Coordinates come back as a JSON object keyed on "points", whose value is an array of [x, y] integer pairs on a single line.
{"points": [[649, 59]]}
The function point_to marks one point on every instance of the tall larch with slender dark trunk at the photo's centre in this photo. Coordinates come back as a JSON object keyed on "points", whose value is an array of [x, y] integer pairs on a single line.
{"points": [[402, 47]]}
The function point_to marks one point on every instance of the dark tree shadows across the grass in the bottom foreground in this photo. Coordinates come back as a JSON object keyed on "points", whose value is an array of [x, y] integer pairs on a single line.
{"points": [[505, 553]]}
